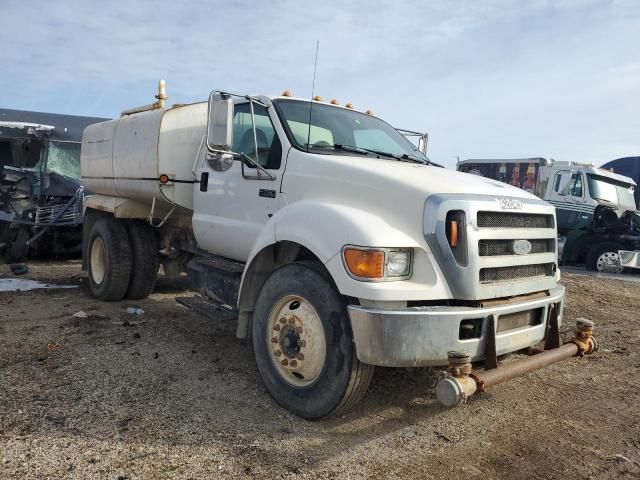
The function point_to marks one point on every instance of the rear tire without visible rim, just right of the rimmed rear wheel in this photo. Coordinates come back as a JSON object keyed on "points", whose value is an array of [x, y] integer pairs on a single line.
{"points": [[144, 248]]}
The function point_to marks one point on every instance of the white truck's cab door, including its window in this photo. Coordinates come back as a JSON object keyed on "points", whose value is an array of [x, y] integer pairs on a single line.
{"points": [[232, 206]]}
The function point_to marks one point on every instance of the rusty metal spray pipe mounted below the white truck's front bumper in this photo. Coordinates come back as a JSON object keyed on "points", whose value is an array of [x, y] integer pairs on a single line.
{"points": [[461, 382]]}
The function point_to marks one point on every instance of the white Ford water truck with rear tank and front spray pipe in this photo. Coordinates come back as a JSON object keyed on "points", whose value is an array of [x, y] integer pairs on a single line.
{"points": [[336, 240]]}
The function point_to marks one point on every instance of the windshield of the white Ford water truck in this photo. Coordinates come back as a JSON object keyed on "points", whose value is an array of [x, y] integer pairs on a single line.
{"points": [[334, 128]]}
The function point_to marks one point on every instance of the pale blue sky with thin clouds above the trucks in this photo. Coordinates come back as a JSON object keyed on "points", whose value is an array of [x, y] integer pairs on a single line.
{"points": [[486, 79]]}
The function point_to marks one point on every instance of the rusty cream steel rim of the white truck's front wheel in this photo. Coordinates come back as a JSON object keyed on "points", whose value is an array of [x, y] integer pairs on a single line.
{"points": [[296, 341]]}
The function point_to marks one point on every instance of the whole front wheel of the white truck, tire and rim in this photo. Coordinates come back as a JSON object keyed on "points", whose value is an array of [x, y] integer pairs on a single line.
{"points": [[304, 346]]}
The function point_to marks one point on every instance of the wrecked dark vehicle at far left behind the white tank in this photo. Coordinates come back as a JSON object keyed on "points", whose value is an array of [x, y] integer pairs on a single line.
{"points": [[40, 188]]}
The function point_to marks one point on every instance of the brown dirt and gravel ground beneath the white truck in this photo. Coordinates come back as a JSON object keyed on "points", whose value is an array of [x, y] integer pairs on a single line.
{"points": [[178, 396]]}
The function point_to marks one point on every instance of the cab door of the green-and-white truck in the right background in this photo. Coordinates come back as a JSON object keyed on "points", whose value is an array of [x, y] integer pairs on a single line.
{"points": [[567, 195]]}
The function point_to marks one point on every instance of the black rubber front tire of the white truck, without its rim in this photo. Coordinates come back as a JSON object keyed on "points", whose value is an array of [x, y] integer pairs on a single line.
{"points": [[343, 379]]}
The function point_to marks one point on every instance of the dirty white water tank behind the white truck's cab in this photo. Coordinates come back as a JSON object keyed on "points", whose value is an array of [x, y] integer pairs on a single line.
{"points": [[126, 157]]}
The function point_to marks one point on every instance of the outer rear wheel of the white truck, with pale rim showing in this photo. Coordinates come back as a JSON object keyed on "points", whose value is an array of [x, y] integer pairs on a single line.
{"points": [[116, 260]]}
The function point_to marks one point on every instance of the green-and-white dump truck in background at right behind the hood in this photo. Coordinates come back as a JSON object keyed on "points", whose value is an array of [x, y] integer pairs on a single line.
{"points": [[595, 207]]}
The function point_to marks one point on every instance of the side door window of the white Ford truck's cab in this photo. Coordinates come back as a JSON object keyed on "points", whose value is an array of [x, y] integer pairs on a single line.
{"points": [[269, 153]]}
